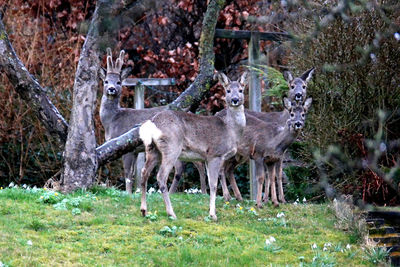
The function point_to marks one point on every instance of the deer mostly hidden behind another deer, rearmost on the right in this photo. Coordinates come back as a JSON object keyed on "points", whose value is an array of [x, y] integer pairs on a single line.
{"points": [[297, 93]]}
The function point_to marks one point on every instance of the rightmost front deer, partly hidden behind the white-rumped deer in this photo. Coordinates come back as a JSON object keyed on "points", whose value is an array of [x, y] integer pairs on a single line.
{"points": [[266, 143]]}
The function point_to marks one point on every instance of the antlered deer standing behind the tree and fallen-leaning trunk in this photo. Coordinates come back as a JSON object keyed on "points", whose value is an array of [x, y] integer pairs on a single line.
{"points": [[117, 120]]}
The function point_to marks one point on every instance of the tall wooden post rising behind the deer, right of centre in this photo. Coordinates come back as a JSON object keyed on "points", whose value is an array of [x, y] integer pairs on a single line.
{"points": [[254, 100]]}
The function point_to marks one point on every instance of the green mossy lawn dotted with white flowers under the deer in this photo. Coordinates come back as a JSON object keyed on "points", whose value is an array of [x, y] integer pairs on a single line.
{"points": [[108, 230]]}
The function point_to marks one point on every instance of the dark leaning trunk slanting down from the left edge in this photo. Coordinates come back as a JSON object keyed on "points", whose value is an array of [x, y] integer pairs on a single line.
{"points": [[30, 90]]}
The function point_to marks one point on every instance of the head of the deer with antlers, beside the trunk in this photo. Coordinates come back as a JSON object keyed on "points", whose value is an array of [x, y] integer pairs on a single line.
{"points": [[113, 77]]}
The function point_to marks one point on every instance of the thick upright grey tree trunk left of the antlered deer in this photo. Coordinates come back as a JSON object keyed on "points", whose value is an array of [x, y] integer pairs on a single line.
{"points": [[80, 159]]}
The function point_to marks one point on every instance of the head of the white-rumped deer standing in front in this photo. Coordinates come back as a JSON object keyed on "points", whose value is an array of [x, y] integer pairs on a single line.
{"points": [[234, 96]]}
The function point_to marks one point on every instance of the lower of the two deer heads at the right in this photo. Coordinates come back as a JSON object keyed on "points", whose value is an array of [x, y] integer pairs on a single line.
{"points": [[297, 113]]}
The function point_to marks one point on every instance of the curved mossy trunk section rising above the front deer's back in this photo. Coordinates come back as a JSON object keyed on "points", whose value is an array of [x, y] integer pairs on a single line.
{"points": [[202, 84]]}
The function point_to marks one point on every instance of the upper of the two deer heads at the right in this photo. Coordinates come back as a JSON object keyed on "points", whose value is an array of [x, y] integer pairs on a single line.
{"points": [[298, 85]]}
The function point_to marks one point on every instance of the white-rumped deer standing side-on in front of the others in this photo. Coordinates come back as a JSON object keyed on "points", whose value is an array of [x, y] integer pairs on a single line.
{"points": [[171, 135]]}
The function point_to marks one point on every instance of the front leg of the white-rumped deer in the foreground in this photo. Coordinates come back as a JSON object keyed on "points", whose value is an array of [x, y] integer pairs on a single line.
{"points": [[213, 167]]}
